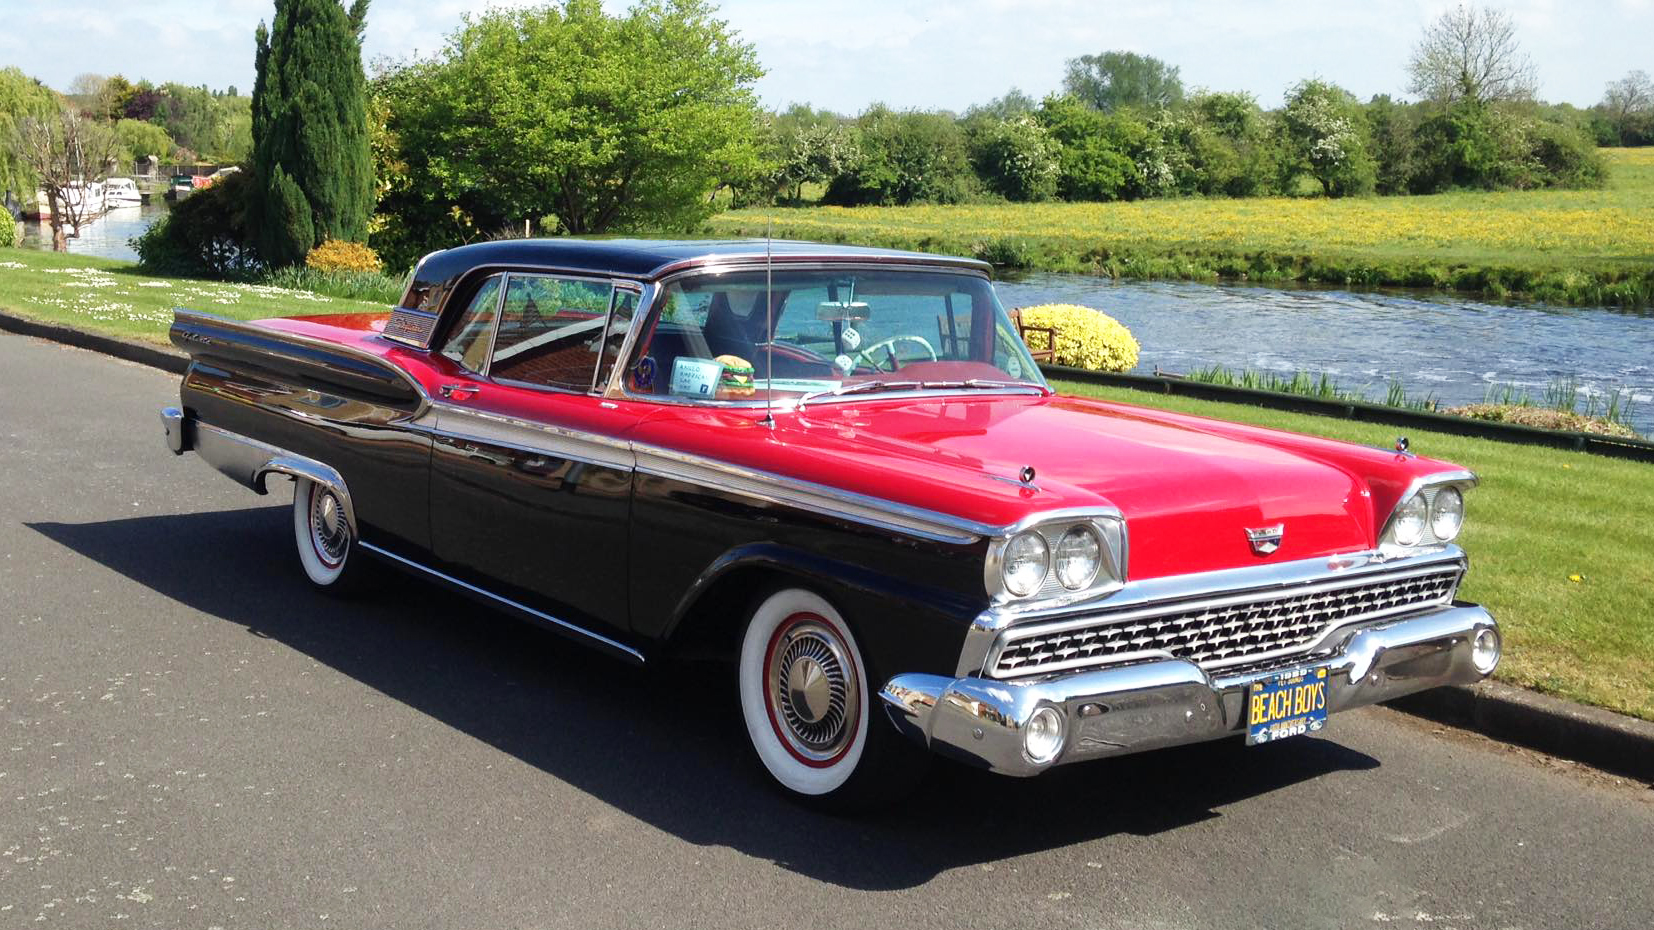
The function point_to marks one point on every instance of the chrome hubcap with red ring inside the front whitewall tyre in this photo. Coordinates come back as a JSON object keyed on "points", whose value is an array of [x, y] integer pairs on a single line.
{"points": [[813, 689]]}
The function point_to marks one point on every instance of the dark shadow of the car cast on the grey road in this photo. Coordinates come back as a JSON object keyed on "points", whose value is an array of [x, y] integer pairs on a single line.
{"points": [[662, 745]]}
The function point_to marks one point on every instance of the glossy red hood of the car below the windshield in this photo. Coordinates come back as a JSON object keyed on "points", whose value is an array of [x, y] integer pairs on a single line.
{"points": [[1190, 487]]}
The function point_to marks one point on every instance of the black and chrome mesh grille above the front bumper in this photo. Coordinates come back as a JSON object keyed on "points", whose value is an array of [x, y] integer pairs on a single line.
{"points": [[1221, 630]]}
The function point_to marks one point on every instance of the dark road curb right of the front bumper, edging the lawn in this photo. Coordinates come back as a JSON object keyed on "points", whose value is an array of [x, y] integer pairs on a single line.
{"points": [[1590, 736]]}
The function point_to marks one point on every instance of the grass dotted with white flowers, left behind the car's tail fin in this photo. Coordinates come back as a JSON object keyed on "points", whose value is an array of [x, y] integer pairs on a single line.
{"points": [[110, 297]]}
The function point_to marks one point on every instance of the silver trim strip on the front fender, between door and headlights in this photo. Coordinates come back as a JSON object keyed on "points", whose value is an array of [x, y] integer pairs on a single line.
{"points": [[810, 496]]}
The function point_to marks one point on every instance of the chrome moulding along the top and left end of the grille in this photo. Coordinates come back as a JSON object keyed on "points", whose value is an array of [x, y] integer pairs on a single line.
{"points": [[1253, 580]]}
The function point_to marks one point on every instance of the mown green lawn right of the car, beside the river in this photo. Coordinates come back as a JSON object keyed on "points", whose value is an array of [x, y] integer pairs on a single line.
{"points": [[1541, 519]]}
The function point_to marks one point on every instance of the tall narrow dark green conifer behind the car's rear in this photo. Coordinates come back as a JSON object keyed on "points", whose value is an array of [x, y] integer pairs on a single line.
{"points": [[312, 163]]}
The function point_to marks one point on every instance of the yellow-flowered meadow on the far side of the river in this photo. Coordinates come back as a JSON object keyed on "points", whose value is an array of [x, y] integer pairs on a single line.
{"points": [[1579, 247]]}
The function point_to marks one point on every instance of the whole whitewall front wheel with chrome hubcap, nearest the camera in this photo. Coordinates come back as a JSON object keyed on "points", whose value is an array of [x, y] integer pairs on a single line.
{"points": [[805, 701]]}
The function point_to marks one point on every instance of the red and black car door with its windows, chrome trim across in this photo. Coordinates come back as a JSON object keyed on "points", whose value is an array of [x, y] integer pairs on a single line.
{"points": [[532, 471]]}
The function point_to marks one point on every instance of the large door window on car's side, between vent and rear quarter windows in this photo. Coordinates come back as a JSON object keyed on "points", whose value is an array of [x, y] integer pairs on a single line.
{"points": [[552, 332]]}
